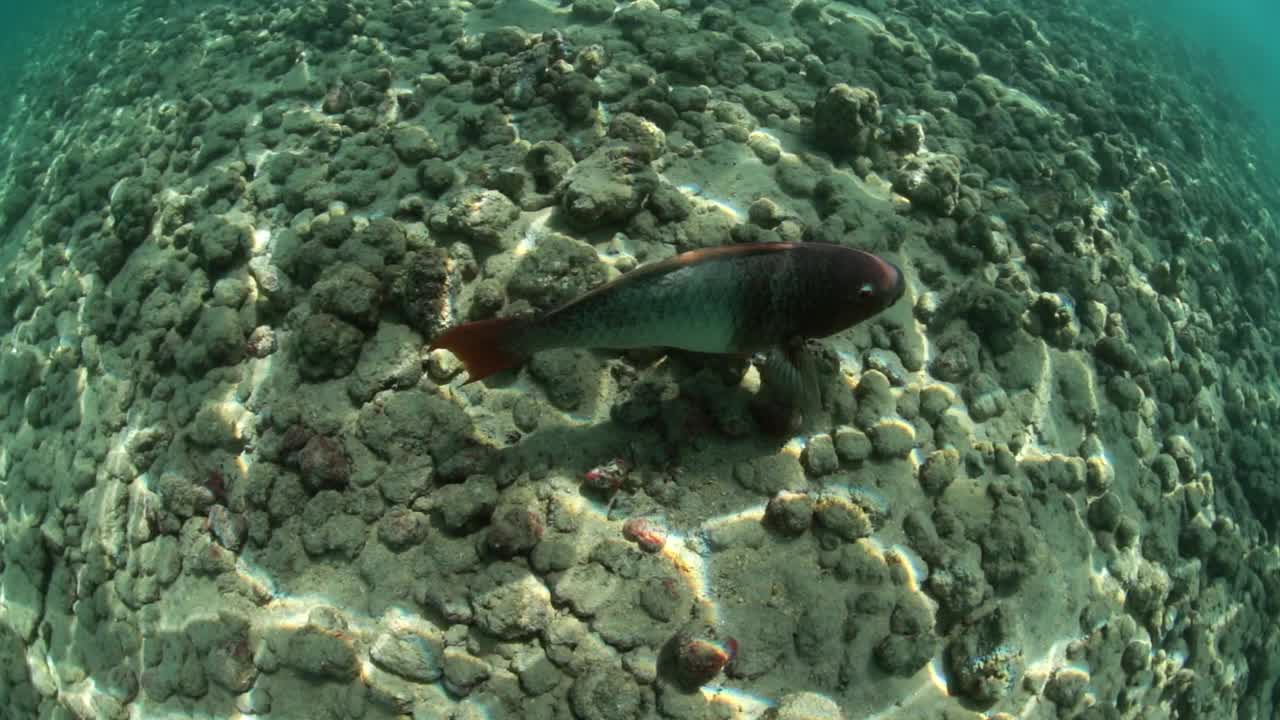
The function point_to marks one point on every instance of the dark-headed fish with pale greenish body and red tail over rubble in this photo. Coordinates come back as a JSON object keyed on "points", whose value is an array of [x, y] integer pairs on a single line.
{"points": [[733, 300]]}
